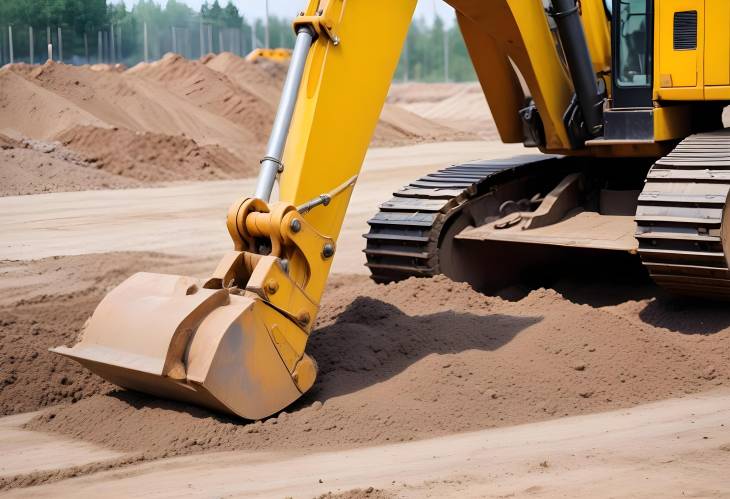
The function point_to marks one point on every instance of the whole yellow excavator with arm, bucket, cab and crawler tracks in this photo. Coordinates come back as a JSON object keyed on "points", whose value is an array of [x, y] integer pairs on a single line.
{"points": [[623, 99]]}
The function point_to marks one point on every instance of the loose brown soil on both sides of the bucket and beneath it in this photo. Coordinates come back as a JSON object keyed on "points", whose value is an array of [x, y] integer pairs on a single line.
{"points": [[420, 358]]}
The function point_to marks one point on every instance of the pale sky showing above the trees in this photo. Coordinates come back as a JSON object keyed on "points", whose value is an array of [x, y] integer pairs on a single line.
{"points": [[288, 8]]}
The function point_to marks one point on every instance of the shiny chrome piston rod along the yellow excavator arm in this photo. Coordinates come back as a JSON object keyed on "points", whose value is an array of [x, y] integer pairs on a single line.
{"points": [[271, 165]]}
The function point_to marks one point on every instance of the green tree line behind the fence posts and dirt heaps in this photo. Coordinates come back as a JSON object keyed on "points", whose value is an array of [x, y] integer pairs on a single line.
{"points": [[90, 31]]}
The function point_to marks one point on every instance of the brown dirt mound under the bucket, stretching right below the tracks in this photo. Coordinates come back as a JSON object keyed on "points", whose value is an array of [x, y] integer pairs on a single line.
{"points": [[427, 357]]}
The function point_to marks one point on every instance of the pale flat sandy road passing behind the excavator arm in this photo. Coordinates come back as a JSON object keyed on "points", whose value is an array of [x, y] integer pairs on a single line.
{"points": [[190, 219]]}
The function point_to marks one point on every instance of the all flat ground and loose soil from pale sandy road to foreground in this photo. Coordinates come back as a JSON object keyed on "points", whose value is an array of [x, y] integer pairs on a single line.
{"points": [[405, 370]]}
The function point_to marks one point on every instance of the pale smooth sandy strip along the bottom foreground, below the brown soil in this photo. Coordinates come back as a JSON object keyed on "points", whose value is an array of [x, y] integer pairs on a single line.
{"points": [[643, 452]]}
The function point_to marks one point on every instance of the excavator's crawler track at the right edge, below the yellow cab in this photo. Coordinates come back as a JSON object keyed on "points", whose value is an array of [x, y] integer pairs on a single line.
{"points": [[682, 221]]}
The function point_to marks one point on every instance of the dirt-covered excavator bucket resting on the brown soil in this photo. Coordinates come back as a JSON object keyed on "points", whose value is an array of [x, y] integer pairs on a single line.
{"points": [[169, 336]]}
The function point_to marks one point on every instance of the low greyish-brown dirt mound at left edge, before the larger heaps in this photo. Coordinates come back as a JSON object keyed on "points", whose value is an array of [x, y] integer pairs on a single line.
{"points": [[36, 167]]}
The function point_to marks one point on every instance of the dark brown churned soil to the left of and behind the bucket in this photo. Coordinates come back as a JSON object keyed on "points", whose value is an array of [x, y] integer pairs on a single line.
{"points": [[45, 303]]}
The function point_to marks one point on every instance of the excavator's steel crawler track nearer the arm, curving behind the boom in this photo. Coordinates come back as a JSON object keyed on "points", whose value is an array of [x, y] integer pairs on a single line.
{"points": [[405, 235]]}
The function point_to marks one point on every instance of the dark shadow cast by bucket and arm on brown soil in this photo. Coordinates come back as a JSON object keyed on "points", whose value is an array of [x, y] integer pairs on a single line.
{"points": [[370, 342]]}
